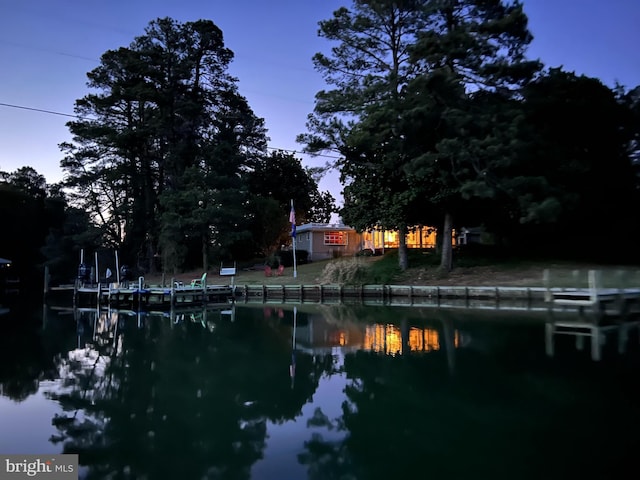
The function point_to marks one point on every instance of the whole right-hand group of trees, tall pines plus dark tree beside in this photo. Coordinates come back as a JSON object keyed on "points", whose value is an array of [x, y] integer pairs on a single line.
{"points": [[440, 119]]}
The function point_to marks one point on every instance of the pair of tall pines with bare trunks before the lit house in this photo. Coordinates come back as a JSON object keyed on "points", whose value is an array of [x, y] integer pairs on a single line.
{"points": [[398, 63]]}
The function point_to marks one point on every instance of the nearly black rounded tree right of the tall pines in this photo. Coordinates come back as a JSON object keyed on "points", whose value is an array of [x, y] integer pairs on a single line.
{"points": [[573, 171]]}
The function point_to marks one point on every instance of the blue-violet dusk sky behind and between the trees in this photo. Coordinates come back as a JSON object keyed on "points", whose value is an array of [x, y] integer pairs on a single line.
{"points": [[48, 46]]}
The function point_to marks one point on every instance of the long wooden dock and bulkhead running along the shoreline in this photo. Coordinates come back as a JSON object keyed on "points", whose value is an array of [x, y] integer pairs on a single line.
{"points": [[592, 300]]}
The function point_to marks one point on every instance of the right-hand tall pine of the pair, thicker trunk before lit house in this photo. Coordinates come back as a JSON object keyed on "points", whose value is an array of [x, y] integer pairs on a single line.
{"points": [[473, 54]]}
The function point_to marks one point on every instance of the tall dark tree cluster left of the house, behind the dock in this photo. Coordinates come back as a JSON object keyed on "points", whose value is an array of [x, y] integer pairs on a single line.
{"points": [[166, 112]]}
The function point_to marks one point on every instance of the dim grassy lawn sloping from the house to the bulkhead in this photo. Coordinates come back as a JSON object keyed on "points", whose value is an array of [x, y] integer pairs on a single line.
{"points": [[471, 270]]}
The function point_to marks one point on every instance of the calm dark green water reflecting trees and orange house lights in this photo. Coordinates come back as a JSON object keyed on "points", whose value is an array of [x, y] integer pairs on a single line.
{"points": [[327, 392]]}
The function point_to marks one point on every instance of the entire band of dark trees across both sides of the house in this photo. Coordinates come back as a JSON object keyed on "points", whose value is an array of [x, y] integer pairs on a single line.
{"points": [[437, 117]]}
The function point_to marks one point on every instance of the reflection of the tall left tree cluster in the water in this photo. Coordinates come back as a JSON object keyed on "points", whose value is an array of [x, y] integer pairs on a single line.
{"points": [[179, 400]]}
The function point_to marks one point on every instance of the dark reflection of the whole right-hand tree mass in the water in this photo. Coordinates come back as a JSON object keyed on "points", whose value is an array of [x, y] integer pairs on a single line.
{"points": [[503, 413]]}
